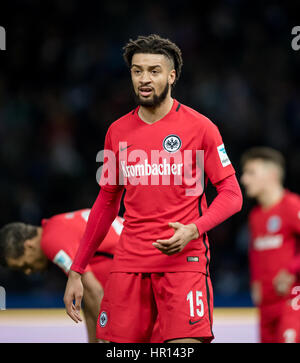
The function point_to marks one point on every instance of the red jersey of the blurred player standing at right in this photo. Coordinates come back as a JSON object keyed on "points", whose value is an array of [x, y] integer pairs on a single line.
{"points": [[275, 241]]}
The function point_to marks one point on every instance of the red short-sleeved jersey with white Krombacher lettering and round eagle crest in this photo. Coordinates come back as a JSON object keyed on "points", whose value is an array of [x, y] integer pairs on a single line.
{"points": [[156, 164]]}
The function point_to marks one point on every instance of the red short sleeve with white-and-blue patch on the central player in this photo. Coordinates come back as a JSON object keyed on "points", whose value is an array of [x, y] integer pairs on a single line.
{"points": [[217, 165]]}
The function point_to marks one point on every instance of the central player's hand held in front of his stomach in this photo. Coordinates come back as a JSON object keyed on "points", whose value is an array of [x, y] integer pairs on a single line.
{"points": [[182, 236]]}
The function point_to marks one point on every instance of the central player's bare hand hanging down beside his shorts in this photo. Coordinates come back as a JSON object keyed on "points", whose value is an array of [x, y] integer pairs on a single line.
{"points": [[74, 292]]}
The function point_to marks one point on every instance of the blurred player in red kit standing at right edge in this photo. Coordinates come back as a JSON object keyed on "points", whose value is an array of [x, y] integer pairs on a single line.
{"points": [[274, 252]]}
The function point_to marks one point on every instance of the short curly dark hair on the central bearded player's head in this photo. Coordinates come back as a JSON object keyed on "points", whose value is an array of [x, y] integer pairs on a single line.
{"points": [[154, 44]]}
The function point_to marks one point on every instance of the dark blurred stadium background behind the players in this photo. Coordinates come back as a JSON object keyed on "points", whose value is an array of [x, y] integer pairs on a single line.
{"points": [[63, 81]]}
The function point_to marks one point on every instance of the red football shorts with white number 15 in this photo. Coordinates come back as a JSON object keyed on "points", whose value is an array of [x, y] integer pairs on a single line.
{"points": [[181, 302]]}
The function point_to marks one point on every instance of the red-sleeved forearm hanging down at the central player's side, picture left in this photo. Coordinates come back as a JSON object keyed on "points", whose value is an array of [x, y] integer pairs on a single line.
{"points": [[103, 213]]}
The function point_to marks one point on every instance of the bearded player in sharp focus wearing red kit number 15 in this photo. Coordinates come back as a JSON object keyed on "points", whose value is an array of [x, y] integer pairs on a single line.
{"points": [[161, 265]]}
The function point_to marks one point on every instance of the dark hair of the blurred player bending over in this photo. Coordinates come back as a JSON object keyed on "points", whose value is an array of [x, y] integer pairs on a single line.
{"points": [[12, 239]]}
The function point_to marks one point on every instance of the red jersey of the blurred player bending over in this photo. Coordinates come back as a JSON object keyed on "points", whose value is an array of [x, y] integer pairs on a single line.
{"points": [[62, 234]]}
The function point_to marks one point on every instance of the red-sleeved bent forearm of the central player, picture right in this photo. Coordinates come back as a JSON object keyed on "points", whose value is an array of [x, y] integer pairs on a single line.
{"points": [[228, 202]]}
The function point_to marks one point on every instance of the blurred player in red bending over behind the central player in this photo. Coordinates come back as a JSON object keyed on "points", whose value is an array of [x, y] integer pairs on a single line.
{"points": [[28, 249]]}
